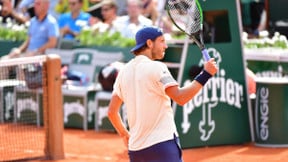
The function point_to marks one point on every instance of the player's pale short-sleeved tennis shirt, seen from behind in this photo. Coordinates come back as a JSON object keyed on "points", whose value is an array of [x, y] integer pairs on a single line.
{"points": [[141, 85]]}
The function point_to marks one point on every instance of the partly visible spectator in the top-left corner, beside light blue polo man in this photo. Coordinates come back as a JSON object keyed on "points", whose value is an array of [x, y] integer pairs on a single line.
{"points": [[8, 12]]}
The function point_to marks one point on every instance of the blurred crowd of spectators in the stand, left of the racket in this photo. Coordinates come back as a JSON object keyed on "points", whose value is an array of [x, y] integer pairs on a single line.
{"points": [[51, 20]]}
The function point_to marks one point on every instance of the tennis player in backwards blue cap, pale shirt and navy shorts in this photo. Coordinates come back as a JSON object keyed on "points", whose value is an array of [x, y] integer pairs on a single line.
{"points": [[146, 87]]}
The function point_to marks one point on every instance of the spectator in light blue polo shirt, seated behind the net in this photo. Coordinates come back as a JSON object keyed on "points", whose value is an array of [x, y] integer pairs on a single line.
{"points": [[42, 33]]}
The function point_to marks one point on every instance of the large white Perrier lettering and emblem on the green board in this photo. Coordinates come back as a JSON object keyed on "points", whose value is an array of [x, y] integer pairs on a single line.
{"points": [[217, 89]]}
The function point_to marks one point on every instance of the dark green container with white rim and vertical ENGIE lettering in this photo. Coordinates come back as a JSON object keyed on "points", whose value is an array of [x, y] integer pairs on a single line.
{"points": [[270, 114]]}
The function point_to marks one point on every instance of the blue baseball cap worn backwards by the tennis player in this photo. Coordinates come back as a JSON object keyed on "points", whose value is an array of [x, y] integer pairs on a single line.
{"points": [[145, 34]]}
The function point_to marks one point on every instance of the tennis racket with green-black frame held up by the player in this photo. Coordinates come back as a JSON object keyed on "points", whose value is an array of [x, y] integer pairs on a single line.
{"points": [[187, 16]]}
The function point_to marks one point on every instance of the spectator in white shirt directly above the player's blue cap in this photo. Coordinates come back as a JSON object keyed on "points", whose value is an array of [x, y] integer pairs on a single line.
{"points": [[129, 24]]}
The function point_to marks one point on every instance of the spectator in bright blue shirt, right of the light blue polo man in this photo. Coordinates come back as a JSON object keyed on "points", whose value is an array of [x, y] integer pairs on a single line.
{"points": [[71, 23]]}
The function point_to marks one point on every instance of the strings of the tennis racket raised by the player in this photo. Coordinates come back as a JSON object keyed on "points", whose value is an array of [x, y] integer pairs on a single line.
{"points": [[186, 14]]}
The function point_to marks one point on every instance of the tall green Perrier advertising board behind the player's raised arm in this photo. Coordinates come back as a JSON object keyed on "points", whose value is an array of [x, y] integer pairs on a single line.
{"points": [[219, 114]]}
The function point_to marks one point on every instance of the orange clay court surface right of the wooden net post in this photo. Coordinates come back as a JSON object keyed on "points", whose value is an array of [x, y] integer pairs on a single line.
{"points": [[91, 146]]}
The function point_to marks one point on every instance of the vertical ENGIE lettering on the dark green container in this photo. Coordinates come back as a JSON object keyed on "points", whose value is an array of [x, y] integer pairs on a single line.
{"points": [[262, 107]]}
